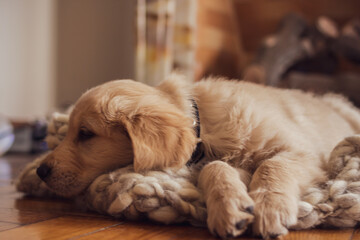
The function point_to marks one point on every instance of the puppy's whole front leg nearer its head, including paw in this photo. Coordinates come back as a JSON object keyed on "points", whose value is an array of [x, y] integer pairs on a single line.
{"points": [[230, 209]]}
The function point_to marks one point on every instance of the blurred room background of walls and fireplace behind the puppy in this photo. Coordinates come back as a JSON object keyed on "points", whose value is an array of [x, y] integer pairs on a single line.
{"points": [[54, 50]]}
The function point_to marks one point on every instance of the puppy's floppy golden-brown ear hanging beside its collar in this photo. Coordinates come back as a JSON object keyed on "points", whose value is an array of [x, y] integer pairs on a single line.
{"points": [[161, 137]]}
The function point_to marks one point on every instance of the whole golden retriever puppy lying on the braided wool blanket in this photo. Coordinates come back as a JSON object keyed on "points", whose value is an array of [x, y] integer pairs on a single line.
{"points": [[264, 145]]}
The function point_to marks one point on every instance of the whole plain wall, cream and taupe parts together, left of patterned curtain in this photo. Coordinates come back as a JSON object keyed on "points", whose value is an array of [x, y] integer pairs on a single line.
{"points": [[51, 51]]}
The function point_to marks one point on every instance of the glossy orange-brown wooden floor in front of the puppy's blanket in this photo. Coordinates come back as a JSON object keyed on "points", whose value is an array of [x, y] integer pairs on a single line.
{"points": [[34, 218]]}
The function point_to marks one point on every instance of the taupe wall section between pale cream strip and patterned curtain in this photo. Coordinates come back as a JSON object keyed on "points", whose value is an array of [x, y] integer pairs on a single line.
{"points": [[95, 44]]}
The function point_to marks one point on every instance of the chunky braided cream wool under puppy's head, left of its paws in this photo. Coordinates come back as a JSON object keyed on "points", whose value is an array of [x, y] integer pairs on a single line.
{"points": [[164, 196]]}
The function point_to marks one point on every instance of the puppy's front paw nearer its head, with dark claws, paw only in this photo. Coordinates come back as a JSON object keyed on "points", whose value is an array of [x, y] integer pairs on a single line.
{"points": [[229, 216]]}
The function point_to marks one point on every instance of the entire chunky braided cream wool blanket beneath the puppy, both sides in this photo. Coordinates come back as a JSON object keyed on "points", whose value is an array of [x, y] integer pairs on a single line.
{"points": [[172, 196]]}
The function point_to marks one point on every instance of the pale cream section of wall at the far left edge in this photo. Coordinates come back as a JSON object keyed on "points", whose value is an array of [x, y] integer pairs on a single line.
{"points": [[26, 57]]}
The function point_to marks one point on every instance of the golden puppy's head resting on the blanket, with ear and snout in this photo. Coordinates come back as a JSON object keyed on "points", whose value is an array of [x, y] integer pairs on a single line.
{"points": [[114, 125]]}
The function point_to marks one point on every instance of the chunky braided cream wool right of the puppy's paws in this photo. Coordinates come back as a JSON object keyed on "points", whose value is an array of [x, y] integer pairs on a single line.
{"points": [[335, 202]]}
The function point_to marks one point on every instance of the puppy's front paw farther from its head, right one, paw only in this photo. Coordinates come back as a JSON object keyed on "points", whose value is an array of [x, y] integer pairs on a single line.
{"points": [[274, 213]]}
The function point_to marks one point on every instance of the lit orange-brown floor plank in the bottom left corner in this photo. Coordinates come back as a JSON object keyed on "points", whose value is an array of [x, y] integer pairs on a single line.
{"points": [[59, 228]]}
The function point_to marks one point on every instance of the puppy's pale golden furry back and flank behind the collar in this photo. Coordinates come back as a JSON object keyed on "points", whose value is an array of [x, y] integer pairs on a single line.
{"points": [[313, 123]]}
